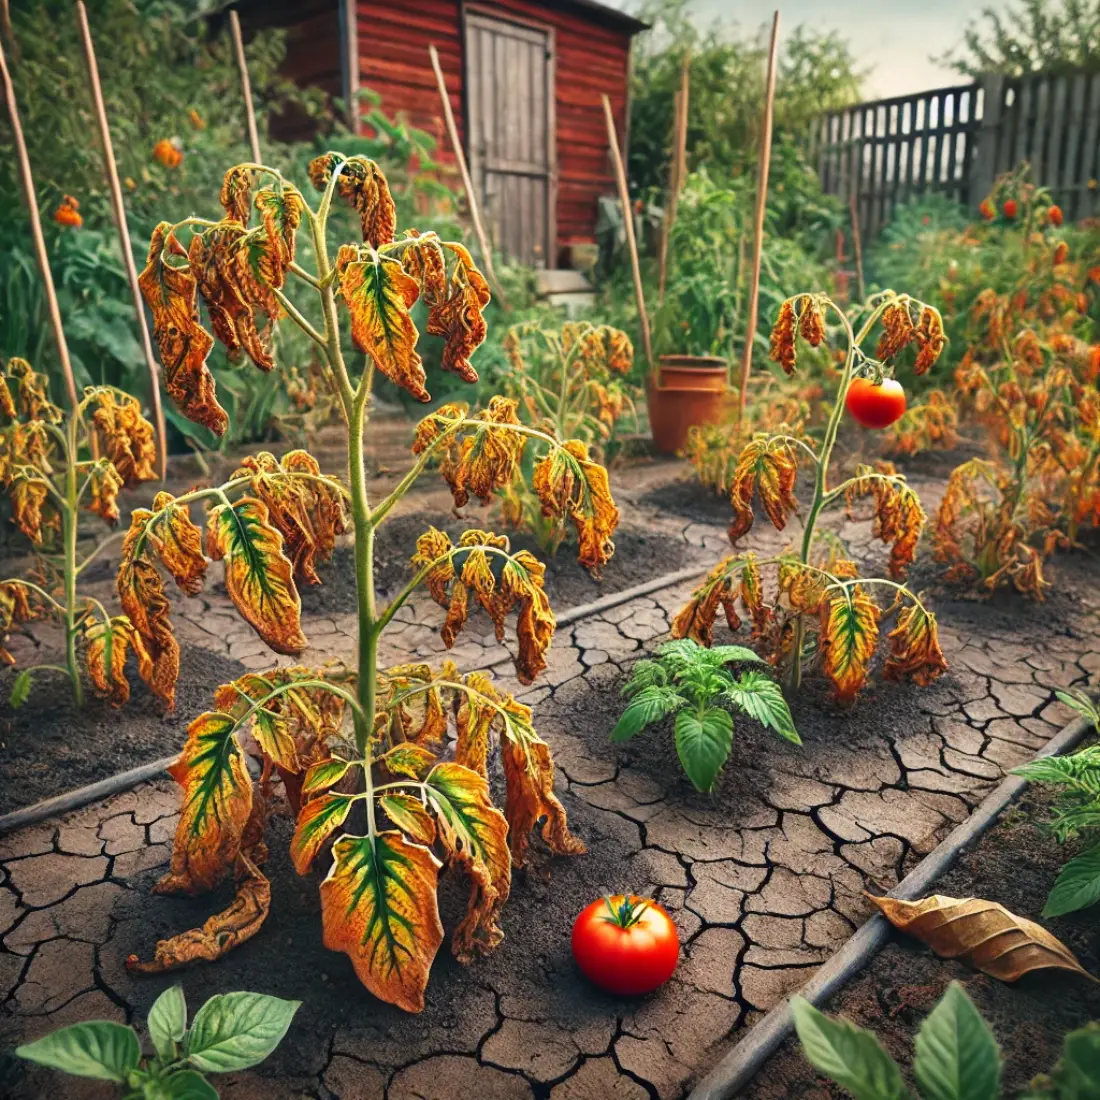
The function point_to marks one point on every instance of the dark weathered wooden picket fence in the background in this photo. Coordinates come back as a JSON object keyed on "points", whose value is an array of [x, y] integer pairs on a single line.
{"points": [[956, 141]]}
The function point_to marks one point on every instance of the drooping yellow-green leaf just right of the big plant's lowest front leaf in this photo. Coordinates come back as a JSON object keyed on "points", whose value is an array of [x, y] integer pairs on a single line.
{"points": [[476, 837]]}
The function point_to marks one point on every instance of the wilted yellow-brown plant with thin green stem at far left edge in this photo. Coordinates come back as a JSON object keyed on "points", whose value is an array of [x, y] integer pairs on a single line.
{"points": [[54, 468]]}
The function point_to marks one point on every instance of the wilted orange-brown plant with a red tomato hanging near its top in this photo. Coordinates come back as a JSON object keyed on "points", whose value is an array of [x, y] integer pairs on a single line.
{"points": [[819, 589]]}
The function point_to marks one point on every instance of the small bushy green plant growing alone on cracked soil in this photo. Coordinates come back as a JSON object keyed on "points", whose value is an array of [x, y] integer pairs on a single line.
{"points": [[696, 685]]}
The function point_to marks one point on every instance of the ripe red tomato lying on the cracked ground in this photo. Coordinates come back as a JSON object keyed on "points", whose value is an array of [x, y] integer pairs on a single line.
{"points": [[626, 945]]}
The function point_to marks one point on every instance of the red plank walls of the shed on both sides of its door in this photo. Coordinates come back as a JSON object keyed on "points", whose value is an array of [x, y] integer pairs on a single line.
{"points": [[590, 60]]}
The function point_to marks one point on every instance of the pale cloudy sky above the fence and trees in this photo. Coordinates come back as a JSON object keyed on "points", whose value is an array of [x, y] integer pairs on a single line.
{"points": [[894, 39]]}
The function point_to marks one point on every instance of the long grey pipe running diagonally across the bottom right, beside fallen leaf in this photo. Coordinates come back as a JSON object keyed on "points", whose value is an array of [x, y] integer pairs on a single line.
{"points": [[762, 1041]]}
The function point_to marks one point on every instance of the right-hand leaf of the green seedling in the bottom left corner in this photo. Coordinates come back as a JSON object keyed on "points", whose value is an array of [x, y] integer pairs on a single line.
{"points": [[237, 1031]]}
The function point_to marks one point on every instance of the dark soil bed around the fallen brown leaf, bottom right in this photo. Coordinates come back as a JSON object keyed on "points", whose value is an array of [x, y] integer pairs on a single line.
{"points": [[1015, 864]]}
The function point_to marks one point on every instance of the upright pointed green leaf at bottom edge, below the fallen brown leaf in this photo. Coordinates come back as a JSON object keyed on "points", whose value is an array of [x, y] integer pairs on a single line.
{"points": [[956, 1055]]}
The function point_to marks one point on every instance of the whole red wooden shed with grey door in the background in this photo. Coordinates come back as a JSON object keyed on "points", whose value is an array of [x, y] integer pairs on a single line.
{"points": [[525, 80]]}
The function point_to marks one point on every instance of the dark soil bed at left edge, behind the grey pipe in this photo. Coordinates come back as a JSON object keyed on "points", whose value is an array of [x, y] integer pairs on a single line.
{"points": [[49, 747]]}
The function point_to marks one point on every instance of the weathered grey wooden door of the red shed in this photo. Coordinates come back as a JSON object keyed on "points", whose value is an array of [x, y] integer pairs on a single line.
{"points": [[510, 134]]}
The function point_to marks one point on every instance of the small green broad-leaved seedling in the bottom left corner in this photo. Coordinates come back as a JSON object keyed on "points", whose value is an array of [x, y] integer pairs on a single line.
{"points": [[232, 1032]]}
